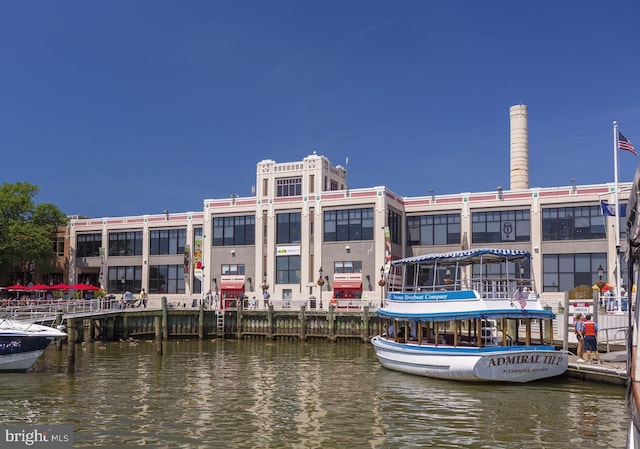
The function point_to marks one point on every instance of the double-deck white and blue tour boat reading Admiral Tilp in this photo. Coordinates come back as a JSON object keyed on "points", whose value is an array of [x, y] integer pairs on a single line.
{"points": [[467, 315]]}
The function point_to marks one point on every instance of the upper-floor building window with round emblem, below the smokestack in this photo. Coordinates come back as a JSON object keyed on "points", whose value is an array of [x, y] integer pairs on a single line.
{"points": [[501, 226]]}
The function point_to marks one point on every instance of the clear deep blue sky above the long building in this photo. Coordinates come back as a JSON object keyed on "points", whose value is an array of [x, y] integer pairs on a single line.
{"points": [[132, 107]]}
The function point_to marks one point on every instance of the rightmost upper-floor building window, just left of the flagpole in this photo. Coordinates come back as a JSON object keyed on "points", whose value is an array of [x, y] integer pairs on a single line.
{"points": [[573, 223]]}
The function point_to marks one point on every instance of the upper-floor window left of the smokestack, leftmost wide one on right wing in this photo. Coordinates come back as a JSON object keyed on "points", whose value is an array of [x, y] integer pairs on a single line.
{"points": [[425, 230]]}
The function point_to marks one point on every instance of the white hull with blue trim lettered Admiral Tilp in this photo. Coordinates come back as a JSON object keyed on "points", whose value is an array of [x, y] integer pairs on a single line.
{"points": [[499, 364]]}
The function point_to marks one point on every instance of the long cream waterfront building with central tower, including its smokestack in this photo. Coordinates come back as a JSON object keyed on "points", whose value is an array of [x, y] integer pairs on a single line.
{"points": [[305, 223]]}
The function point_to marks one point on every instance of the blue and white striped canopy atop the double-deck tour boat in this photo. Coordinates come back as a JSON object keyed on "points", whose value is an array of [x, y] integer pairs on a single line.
{"points": [[468, 257]]}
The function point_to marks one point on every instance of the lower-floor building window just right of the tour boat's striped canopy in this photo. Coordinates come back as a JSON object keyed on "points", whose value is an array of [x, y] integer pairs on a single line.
{"points": [[564, 272]]}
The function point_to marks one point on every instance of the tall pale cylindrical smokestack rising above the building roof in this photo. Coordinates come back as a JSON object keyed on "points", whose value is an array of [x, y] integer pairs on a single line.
{"points": [[519, 147]]}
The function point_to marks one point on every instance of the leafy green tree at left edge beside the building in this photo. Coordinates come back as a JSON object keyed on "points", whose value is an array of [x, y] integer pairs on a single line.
{"points": [[27, 230]]}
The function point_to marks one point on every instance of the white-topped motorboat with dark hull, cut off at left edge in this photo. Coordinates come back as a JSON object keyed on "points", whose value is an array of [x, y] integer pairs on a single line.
{"points": [[21, 343]]}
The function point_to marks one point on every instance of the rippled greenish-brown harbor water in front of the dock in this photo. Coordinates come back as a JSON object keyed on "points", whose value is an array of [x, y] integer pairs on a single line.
{"points": [[287, 394]]}
